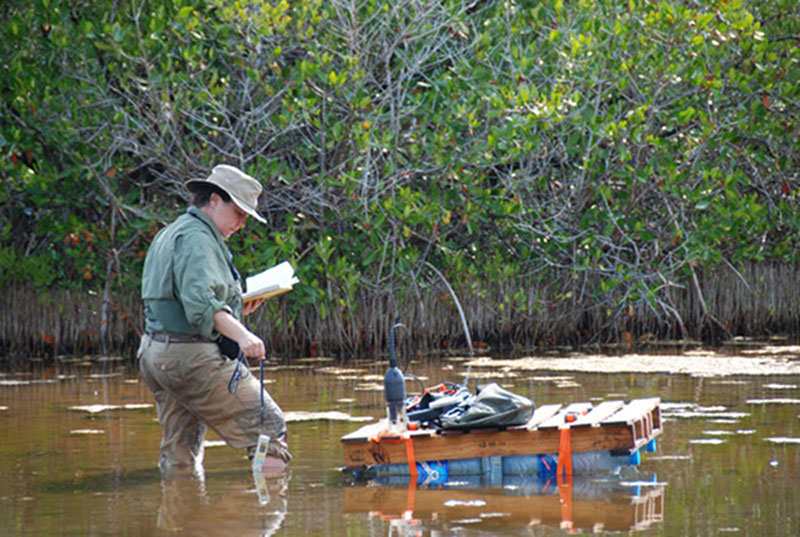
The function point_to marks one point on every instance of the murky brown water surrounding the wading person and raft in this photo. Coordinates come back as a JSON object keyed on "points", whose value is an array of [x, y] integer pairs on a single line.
{"points": [[728, 462]]}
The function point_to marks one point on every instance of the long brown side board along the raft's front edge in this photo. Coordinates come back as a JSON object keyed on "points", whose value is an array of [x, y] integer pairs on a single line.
{"points": [[479, 443]]}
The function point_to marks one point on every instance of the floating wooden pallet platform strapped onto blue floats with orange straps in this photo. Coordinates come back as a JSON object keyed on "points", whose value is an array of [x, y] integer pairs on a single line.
{"points": [[577, 439]]}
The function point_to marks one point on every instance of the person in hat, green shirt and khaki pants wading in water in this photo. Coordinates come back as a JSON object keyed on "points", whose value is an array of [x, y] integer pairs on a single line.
{"points": [[193, 308]]}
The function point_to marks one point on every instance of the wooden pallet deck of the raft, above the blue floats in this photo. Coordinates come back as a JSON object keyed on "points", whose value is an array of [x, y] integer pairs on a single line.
{"points": [[611, 425]]}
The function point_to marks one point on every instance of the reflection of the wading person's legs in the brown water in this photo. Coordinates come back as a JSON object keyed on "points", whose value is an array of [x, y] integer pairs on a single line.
{"points": [[188, 507]]}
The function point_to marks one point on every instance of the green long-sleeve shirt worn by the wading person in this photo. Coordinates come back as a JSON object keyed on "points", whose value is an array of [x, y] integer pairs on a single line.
{"points": [[188, 277]]}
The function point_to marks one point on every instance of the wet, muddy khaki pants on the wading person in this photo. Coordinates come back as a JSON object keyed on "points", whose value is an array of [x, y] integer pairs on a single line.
{"points": [[189, 382]]}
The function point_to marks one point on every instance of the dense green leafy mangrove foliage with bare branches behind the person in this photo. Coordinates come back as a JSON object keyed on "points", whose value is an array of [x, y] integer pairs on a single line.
{"points": [[620, 144]]}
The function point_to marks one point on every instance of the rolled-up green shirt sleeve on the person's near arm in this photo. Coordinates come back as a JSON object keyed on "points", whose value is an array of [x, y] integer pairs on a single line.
{"points": [[202, 280]]}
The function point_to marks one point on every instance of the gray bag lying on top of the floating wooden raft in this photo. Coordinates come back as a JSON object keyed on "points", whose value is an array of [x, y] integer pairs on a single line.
{"points": [[492, 406]]}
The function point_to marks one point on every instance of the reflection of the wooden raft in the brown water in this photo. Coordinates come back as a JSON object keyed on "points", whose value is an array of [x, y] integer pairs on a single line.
{"points": [[585, 503]]}
